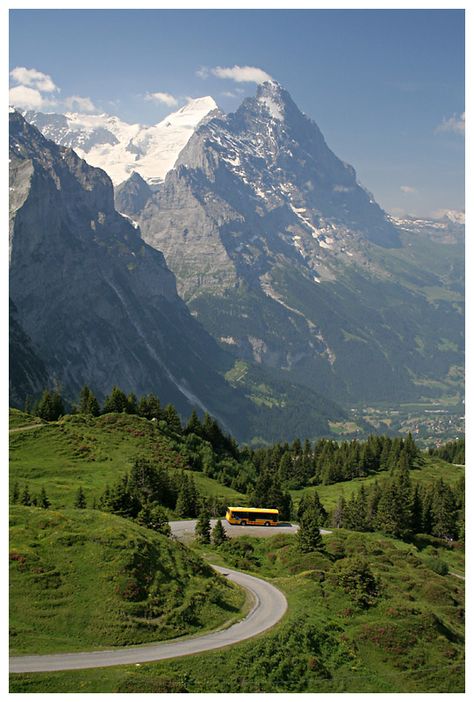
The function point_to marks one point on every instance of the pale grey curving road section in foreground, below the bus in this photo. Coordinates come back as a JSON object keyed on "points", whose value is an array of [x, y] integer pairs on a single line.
{"points": [[269, 606]]}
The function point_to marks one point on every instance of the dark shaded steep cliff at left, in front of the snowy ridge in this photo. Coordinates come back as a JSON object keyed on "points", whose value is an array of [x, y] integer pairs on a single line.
{"points": [[100, 306]]}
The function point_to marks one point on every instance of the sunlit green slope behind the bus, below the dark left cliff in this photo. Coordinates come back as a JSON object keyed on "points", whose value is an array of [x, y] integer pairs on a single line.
{"points": [[83, 451]]}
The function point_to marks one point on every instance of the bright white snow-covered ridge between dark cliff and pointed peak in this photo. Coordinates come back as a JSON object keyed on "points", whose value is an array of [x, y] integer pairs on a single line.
{"points": [[120, 148]]}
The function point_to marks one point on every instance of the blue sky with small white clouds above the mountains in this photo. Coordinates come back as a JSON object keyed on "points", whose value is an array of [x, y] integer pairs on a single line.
{"points": [[385, 87]]}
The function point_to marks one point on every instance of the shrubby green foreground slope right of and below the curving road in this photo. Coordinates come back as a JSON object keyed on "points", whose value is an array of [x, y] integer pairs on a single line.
{"points": [[410, 641]]}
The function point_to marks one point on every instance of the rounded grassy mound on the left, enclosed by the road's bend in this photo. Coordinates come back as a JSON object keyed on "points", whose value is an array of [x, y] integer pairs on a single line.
{"points": [[82, 579]]}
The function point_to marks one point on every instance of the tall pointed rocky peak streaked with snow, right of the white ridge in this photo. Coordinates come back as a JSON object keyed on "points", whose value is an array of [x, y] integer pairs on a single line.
{"points": [[290, 263]]}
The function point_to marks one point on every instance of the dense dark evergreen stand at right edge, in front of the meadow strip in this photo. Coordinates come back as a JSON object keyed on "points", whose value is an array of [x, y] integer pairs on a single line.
{"points": [[402, 509]]}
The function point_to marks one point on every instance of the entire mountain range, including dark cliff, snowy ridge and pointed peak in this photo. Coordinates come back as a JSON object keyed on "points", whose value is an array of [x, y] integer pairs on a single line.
{"points": [[292, 283]]}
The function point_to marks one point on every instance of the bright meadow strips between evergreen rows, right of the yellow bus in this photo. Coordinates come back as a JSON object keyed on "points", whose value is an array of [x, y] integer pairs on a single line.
{"points": [[428, 471]]}
